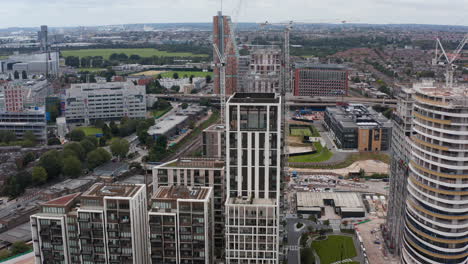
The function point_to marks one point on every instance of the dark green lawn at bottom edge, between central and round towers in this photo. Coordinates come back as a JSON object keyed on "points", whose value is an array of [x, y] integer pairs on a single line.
{"points": [[334, 248]]}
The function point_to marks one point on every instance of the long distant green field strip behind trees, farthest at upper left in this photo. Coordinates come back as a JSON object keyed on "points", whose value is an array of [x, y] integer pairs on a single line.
{"points": [[143, 52]]}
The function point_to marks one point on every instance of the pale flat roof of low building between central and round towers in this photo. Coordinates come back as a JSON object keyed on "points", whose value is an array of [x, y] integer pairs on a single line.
{"points": [[347, 201]]}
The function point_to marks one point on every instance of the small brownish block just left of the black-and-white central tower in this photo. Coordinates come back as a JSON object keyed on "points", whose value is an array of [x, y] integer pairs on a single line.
{"points": [[213, 141]]}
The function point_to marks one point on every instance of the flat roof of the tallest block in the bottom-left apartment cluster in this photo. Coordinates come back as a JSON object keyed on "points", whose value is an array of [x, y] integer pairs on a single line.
{"points": [[105, 189]]}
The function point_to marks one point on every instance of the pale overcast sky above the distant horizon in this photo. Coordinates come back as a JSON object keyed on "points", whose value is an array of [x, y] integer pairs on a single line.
{"points": [[27, 13]]}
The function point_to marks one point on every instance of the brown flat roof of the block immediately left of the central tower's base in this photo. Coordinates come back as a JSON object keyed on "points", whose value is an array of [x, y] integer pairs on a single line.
{"points": [[182, 192]]}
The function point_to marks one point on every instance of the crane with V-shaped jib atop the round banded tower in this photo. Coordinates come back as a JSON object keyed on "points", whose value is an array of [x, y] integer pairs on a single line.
{"points": [[448, 60]]}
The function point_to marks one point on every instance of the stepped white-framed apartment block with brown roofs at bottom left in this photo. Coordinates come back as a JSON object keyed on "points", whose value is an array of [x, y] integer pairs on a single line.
{"points": [[106, 224]]}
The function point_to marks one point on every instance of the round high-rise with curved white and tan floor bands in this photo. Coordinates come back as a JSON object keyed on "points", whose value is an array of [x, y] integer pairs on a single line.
{"points": [[437, 200]]}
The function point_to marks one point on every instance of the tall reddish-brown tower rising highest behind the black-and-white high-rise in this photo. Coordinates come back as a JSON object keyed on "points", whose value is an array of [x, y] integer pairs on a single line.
{"points": [[226, 44]]}
